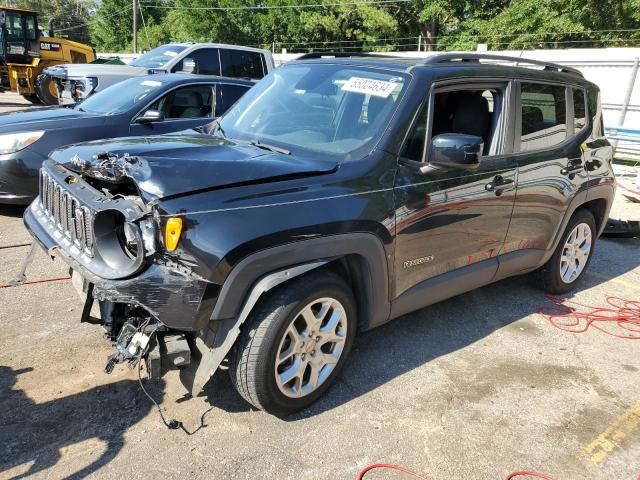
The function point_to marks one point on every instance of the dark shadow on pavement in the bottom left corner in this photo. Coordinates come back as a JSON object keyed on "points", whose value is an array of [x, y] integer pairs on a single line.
{"points": [[38, 432]]}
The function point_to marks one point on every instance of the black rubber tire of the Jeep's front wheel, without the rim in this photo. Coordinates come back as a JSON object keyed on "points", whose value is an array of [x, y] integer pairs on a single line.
{"points": [[252, 364]]}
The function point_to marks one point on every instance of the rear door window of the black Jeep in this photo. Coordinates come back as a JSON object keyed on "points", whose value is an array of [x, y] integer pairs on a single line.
{"points": [[544, 116]]}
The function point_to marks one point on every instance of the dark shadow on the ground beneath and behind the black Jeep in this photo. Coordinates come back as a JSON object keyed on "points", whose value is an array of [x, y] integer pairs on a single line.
{"points": [[385, 353]]}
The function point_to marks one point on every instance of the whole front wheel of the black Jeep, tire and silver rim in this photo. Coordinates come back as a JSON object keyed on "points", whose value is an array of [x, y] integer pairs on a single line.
{"points": [[295, 343]]}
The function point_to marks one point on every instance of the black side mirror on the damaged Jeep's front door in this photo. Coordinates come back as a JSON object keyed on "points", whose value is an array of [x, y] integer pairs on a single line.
{"points": [[456, 150]]}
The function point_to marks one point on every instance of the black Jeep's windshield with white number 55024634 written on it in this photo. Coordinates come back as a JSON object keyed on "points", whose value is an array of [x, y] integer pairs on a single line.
{"points": [[333, 109]]}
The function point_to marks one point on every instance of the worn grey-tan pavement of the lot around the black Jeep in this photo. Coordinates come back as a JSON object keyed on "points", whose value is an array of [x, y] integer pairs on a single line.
{"points": [[474, 387]]}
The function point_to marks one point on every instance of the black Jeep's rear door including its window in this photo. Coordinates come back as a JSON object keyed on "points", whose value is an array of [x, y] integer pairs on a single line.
{"points": [[550, 165]]}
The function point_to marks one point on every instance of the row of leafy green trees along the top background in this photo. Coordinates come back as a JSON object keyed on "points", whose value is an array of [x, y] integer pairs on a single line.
{"points": [[443, 24]]}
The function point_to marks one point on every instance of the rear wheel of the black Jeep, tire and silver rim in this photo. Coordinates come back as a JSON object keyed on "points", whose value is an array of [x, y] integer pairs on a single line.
{"points": [[572, 256]]}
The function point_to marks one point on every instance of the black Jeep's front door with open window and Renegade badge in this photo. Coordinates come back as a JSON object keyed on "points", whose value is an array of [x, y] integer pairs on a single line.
{"points": [[448, 219]]}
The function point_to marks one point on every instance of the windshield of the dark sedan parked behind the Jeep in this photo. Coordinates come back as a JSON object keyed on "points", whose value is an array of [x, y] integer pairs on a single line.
{"points": [[120, 97]]}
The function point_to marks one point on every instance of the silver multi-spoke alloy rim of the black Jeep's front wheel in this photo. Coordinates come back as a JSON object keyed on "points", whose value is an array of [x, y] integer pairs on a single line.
{"points": [[311, 347]]}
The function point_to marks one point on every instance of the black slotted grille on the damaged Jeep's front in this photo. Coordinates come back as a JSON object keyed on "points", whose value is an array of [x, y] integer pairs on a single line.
{"points": [[69, 216]]}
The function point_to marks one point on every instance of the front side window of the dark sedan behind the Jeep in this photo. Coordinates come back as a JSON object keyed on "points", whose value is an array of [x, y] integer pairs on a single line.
{"points": [[194, 101]]}
